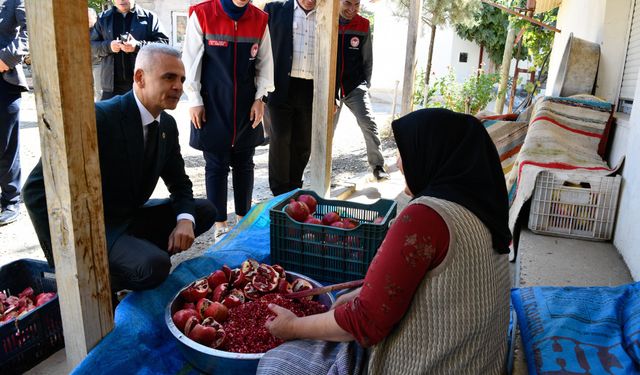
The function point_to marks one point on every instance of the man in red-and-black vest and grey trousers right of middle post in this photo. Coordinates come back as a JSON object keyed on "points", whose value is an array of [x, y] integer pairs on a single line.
{"points": [[353, 74]]}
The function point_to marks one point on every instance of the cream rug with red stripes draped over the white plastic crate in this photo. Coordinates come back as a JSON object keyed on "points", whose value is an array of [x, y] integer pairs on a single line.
{"points": [[563, 134]]}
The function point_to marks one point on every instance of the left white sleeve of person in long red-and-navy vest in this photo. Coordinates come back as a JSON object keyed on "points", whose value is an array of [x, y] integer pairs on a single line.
{"points": [[192, 53]]}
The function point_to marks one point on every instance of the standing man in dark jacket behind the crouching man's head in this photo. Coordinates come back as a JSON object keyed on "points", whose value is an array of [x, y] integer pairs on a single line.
{"points": [[116, 39]]}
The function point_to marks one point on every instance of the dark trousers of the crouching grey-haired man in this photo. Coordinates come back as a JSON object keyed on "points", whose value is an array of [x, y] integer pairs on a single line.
{"points": [[139, 259]]}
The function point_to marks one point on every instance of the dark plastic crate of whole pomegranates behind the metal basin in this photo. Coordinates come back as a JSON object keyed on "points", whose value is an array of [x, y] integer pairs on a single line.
{"points": [[327, 253]]}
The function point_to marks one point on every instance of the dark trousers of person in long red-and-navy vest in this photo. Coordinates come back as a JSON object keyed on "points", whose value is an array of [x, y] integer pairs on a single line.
{"points": [[216, 174]]}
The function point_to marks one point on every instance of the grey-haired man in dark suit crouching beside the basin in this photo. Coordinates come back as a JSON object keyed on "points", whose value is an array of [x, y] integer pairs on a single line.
{"points": [[138, 144]]}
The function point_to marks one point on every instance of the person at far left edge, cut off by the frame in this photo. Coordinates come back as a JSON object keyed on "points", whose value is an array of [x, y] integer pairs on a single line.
{"points": [[13, 48]]}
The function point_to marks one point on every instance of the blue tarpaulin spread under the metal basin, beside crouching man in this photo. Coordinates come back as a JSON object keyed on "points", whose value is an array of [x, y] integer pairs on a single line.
{"points": [[141, 343]]}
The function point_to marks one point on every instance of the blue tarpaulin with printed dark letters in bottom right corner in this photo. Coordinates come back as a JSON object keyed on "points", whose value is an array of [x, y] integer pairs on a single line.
{"points": [[580, 330]]}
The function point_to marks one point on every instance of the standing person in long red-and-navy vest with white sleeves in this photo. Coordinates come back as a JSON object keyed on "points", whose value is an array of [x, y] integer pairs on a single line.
{"points": [[227, 55]]}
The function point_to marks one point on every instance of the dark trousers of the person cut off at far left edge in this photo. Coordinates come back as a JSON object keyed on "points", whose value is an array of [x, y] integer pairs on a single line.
{"points": [[9, 143]]}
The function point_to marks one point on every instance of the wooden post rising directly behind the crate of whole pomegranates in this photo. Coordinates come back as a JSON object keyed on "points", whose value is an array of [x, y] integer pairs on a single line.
{"points": [[324, 82]]}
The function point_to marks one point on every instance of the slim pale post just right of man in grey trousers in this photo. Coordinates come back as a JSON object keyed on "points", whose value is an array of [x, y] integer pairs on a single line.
{"points": [[415, 17]]}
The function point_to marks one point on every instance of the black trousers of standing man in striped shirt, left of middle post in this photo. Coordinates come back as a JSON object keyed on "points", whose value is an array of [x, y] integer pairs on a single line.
{"points": [[290, 146]]}
